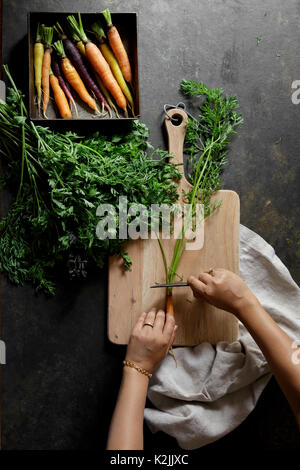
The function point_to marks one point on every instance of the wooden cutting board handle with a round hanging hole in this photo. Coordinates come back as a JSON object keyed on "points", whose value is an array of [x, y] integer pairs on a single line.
{"points": [[176, 135]]}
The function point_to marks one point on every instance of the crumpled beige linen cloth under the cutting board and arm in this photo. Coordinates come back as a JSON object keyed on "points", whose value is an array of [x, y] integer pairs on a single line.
{"points": [[215, 388]]}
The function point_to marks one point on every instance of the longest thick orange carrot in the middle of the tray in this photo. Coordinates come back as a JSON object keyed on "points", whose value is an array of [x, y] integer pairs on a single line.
{"points": [[98, 63]]}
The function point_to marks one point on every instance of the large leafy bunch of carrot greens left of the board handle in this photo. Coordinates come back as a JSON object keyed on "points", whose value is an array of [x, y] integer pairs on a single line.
{"points": [[57, 181]]}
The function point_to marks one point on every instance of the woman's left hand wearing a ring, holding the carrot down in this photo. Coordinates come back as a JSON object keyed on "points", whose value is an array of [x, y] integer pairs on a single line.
{"points": [[149, 345]]}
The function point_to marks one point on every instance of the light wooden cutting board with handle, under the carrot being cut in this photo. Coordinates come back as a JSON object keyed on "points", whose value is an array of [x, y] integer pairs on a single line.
{"points": [[129, 292]]}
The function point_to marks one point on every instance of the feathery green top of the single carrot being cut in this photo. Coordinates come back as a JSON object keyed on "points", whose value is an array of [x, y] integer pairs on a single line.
{"points": [[206, 146]]}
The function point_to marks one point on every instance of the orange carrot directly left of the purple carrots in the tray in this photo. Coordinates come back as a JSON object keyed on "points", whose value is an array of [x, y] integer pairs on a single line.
{"points": [[73, 77]]}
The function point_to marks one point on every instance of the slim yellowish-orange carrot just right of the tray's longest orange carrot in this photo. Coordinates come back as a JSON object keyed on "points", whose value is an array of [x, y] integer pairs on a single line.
{"points": [[112, 62]]}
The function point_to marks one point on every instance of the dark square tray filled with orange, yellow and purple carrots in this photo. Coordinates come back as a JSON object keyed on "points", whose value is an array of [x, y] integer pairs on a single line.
{"points": [[83, 66]]}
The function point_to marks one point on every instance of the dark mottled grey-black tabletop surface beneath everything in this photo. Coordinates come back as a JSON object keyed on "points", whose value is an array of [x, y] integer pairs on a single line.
{"points": [[62, 375]]}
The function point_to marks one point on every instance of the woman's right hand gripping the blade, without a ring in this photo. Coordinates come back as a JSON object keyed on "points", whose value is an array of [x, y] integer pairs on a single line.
{"points": [[224, 289]]}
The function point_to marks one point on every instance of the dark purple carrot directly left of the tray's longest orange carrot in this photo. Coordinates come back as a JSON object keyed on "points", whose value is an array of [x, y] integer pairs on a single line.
{"points": [[77, 60]]}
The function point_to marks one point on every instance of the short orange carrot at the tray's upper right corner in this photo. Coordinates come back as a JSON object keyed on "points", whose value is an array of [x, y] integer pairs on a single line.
{"points": [[118, 47]]}
